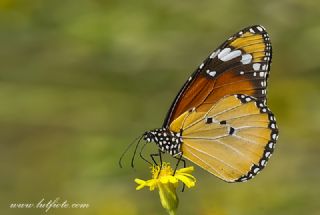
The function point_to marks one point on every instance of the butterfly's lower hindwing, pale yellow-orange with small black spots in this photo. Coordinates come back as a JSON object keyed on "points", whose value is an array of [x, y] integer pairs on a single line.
{"points": [[232, 140]]}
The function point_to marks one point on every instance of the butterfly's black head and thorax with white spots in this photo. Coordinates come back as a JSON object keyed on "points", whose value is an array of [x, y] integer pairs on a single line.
{"points": [[167, 141]]}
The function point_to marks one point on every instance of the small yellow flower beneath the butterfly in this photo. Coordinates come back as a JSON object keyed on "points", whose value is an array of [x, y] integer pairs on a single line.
{"points": [[167, 183]]}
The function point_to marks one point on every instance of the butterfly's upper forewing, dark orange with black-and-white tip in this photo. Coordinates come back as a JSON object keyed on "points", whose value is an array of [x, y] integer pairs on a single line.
{"points": [[239, 66]]}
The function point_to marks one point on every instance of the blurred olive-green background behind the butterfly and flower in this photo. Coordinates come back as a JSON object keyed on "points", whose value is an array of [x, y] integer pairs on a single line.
{"points": [[79, 80]]}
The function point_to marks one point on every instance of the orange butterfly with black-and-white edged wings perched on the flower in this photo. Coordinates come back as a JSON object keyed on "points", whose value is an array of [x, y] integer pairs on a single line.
{"points": [[219, 120]]}
